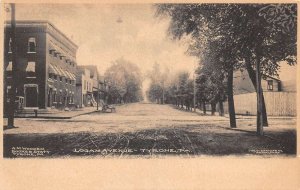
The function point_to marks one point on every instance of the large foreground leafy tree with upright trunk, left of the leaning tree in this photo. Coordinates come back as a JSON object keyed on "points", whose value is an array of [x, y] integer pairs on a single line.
{"points": [[208, 25]]}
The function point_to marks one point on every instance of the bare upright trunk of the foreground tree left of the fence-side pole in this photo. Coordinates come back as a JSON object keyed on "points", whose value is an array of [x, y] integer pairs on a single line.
{"points": [[230, 99]]}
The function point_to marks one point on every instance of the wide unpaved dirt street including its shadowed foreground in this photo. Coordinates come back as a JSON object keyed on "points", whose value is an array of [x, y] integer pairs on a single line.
{"points": [[149, 130]]}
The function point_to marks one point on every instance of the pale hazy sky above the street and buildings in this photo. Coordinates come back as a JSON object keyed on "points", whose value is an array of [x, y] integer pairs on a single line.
{"points": [[139, 36]]}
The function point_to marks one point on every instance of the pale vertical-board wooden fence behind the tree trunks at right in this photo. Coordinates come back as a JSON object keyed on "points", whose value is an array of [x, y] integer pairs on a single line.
{"points": [[277, 103]]}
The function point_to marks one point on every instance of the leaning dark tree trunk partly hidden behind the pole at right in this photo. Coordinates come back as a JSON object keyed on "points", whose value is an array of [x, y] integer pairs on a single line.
{"points": [[252, 77]]}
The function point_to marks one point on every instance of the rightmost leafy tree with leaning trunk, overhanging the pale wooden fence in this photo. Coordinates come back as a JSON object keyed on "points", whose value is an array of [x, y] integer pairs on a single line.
{"points": [[271, 38]]}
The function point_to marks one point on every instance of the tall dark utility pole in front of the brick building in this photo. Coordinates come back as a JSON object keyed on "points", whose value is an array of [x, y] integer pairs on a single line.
{"points": [[12, 94]]}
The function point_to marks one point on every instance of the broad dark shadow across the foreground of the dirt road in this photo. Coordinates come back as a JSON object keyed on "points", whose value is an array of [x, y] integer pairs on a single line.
{"points": [[192, 140]]}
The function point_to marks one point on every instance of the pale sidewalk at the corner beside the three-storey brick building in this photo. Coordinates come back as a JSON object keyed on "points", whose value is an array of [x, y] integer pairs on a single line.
{"points": [[60, 114]]}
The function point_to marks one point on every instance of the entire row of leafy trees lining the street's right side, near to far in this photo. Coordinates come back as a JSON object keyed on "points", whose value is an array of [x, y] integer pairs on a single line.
{"points": [[226, 38]]}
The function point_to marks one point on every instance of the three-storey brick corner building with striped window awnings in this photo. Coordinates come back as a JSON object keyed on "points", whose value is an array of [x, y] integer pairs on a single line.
{"points": [[46, 65]]}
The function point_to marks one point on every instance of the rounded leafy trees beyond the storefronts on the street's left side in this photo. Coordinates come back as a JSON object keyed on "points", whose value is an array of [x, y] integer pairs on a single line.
{"points": [[125, 82]]}
